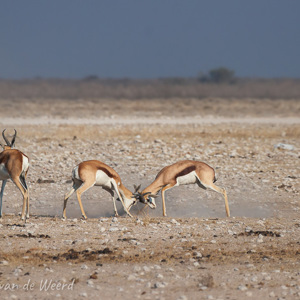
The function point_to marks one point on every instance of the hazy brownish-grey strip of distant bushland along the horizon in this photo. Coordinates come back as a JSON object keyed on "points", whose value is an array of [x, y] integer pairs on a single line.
{"points": [[94, 88]]}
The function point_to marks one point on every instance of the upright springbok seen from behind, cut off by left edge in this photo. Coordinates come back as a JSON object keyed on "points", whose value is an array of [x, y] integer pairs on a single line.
{"points": [[14, 165]]}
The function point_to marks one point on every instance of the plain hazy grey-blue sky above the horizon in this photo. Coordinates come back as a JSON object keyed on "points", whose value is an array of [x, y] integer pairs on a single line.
{"points": [[147, 39]]}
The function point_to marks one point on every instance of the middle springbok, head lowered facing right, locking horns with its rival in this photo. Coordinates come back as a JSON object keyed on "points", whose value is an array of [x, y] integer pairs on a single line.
{"points": [[93, 172]]}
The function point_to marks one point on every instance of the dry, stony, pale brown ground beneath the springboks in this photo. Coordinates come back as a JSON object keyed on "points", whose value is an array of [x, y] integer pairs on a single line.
{"points": [[194, 253]]}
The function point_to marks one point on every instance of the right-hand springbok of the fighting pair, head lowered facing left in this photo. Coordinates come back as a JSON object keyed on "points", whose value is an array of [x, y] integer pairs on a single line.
{"points": [[180, 173]]}
